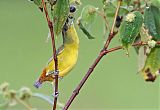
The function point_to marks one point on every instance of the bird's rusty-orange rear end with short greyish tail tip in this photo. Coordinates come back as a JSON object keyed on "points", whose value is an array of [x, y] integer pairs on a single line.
{"points": [[43, 78]]}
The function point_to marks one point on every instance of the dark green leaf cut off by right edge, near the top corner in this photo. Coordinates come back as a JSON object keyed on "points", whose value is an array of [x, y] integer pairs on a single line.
{"points": [[152, 21]]}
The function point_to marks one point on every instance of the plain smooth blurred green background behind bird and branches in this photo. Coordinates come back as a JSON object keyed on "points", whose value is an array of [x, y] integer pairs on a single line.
{"points": [[114, 85]]}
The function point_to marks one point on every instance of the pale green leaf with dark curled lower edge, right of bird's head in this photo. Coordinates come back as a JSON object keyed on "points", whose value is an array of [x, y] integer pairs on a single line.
{"points": [[87, 19]]}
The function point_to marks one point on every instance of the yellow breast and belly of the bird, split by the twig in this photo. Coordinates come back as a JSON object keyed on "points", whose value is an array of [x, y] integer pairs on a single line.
{"points": [[67, 58]]}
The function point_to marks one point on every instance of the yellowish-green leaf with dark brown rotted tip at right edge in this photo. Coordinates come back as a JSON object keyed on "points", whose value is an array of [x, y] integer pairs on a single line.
{"points": [[152, 65]]}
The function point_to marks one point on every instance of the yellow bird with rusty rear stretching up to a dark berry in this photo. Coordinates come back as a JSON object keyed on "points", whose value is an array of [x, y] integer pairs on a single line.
{"points": [[67, 53]]}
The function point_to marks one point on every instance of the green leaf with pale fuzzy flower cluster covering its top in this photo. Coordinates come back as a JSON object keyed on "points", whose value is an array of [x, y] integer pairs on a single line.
{"points": [[130, 28]]}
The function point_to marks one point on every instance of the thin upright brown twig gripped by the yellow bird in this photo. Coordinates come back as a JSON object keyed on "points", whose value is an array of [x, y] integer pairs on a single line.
{"points": [[50, 25]]}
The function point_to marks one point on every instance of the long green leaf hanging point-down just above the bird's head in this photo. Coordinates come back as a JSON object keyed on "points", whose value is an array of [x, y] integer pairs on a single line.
{"points": [[60, 14]]}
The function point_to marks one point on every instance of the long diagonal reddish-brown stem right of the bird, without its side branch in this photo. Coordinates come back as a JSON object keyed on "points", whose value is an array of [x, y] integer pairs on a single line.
{"points": [[101, 54]]}
